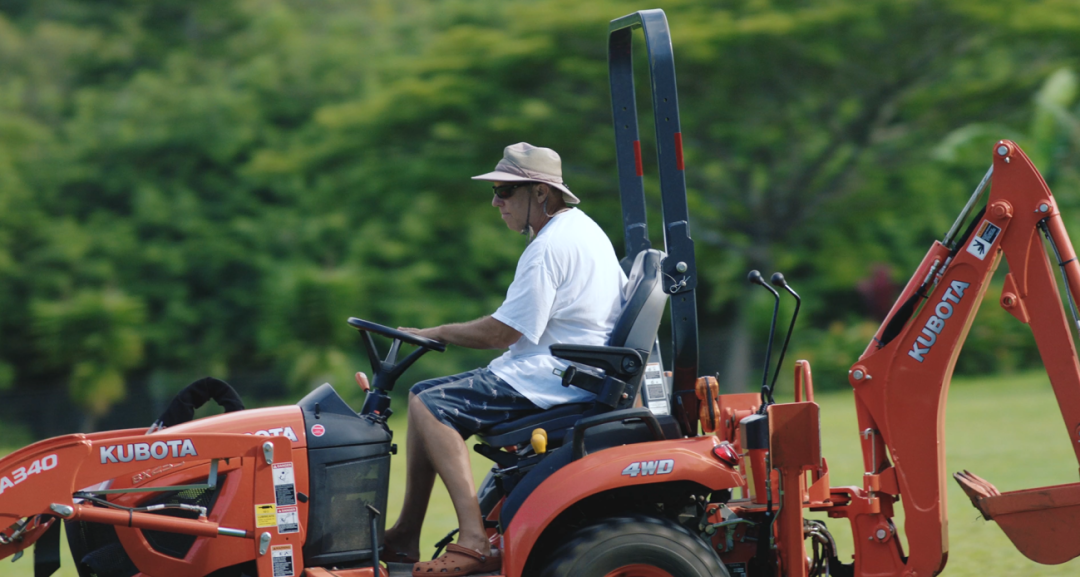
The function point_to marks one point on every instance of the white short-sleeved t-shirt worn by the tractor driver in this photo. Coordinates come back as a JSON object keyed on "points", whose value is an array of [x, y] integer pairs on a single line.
{"points": [[568, 290]]}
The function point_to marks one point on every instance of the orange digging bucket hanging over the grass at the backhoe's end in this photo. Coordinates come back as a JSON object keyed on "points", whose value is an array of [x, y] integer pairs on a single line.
{"points": [[1044, 524]]}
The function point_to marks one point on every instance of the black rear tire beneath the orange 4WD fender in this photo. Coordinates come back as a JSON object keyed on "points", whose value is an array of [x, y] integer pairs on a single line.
{"points": [[634, 546]]}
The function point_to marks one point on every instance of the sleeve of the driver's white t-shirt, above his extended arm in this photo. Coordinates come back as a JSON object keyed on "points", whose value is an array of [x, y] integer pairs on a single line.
{"points": [[530, 302]]}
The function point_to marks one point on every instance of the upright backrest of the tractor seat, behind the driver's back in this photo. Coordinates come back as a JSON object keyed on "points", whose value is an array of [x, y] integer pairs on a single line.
{"points": [[644, 302]]}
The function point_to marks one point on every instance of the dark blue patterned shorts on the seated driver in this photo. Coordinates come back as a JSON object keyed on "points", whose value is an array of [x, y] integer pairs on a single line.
{"points": [[472, 402]]}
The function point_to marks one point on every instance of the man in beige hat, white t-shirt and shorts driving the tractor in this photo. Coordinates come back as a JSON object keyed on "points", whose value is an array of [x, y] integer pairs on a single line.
{"points": [[568, 289]]}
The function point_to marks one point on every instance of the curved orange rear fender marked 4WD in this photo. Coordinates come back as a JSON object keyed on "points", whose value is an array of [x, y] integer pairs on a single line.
{"points": [[658, 462]]}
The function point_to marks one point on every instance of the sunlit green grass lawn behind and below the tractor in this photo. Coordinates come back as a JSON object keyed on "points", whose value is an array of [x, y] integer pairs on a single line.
{"points": [[1007, 430]]}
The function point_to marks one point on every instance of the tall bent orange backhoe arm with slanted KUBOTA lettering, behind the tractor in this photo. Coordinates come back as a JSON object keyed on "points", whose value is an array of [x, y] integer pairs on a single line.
{"points": [[901, 385]]}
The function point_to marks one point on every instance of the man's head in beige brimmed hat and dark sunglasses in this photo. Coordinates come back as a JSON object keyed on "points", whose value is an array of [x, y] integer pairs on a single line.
{"points": [[529, 178]]}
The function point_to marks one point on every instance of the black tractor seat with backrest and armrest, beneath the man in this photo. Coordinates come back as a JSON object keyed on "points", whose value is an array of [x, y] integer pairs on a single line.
{"points": [[644, 303]]}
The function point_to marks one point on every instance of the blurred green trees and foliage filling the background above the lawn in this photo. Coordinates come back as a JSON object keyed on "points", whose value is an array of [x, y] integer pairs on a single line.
{"points": [[214, 186]]}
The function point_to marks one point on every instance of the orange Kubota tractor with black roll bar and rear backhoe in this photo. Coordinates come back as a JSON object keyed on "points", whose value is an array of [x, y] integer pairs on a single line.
{"points": [[615, 487]]}
